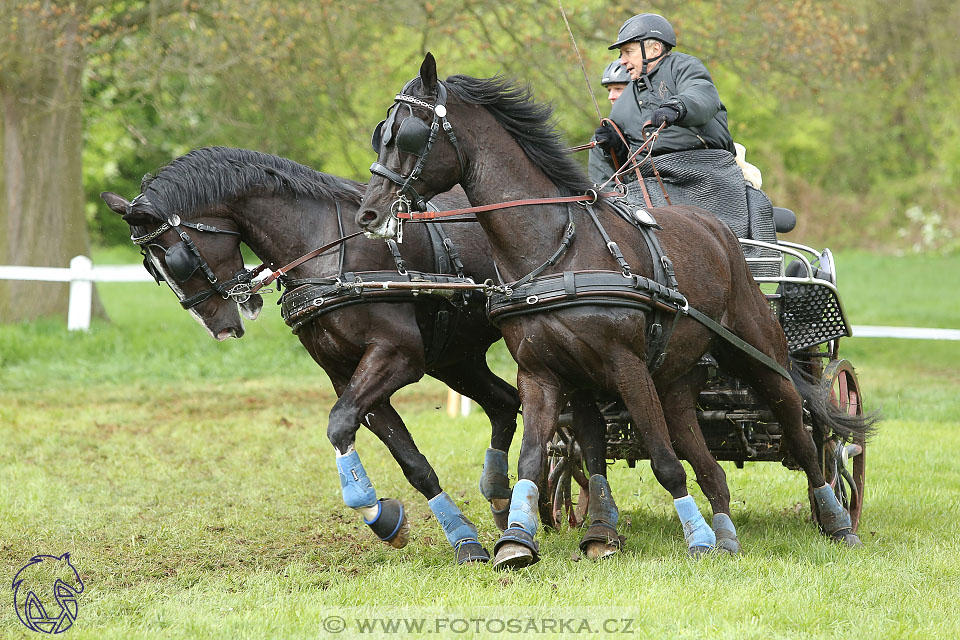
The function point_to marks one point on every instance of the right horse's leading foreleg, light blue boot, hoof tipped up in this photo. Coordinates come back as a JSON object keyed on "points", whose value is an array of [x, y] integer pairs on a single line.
{"points": [[541, 409]]}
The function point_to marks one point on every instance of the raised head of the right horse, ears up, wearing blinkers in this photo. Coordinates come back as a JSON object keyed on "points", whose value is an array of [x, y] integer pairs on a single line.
{"points": [[419, 155]]}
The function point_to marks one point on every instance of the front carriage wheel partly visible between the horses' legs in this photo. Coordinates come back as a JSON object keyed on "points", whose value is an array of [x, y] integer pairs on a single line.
{"points": [[565, 502]]}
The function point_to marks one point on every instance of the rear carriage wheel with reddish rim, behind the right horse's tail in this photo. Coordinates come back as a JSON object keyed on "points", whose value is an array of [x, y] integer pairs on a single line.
{"points": [[844, 463]]}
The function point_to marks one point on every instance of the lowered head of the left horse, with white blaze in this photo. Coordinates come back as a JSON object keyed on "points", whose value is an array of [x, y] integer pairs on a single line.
{"points": [[200, 262]]}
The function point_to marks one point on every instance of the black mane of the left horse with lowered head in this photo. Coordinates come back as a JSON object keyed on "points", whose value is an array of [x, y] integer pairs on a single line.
{"points": [[211, 175]]}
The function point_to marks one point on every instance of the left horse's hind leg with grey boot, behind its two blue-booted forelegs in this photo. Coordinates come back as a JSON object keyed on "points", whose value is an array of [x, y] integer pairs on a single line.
{"points": [[473, 378]]}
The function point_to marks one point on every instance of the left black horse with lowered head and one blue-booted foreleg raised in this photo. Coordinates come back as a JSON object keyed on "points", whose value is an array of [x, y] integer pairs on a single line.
{"points": [[190, 220]]}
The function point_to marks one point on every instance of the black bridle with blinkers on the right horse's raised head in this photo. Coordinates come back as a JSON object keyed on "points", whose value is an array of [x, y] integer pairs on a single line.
{"points": [[413, 138]]}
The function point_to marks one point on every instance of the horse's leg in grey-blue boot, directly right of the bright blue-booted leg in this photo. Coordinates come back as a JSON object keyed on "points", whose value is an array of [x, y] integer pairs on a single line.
{"points": [[679, 409]]}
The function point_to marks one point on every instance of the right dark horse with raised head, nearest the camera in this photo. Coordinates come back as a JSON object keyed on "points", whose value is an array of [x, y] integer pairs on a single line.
{"points": [[501, 146]]}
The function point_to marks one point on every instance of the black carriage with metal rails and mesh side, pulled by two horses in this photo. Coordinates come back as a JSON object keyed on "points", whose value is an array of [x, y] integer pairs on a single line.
{"points": [[800, 284]]}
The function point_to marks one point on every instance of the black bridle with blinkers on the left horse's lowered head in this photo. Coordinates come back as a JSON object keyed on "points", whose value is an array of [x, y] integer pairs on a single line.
{"points": [[183, 259]]}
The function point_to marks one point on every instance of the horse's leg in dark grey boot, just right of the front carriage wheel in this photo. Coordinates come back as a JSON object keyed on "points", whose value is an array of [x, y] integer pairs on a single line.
{"points": [[601, 538]]}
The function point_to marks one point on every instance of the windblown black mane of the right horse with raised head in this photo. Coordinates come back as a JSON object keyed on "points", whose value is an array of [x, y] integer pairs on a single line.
{"points": [[531, 124]]}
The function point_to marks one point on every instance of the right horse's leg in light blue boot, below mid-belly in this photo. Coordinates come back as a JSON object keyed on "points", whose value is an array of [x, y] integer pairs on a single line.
{"points": [[640, 396]]}
